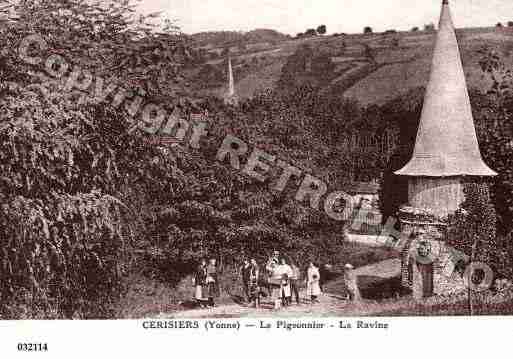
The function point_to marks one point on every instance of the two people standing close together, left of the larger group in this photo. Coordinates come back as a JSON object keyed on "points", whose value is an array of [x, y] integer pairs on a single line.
{"points": [[206, 283]]}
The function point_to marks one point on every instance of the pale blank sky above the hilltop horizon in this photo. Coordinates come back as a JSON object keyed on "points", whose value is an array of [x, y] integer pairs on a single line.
{"points": [[349, 16]]}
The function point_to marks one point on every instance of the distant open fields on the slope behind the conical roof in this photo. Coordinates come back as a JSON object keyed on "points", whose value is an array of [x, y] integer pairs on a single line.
{"points": [[400, 61]]}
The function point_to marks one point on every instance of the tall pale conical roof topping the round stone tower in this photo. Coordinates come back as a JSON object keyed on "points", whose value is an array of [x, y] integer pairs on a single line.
{"points": [[446, 142]]}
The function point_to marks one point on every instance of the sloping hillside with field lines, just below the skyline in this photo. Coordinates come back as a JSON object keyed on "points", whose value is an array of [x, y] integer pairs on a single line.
{"points": [[371, 68]]}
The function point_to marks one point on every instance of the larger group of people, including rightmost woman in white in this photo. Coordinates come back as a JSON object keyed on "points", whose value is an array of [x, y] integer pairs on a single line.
{"points": [[281, 279]]}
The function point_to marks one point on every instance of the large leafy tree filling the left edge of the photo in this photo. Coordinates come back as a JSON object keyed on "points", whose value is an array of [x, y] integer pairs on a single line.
{"points": [[71, 168]]}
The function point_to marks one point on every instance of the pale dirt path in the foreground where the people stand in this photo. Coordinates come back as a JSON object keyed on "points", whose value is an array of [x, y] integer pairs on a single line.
{"points": [[329, 304]]}
